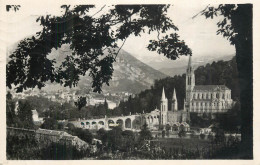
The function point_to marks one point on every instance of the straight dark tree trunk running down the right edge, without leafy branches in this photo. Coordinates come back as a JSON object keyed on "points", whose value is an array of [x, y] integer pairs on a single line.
{"points": [[244, 57]]}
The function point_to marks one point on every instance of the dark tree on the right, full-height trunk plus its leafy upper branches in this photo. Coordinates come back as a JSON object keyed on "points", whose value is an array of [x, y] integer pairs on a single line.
{"points": [[236, 26]]}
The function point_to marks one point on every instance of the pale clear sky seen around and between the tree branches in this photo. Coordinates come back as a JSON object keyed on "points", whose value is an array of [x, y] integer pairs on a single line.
{"points": [[198, 33]]}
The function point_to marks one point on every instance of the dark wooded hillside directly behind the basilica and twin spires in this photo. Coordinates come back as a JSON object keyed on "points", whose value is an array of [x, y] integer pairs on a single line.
{"points": [[216, 73]]}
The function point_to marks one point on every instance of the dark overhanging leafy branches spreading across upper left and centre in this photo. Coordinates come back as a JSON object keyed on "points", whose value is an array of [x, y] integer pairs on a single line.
{"points": [[94, 41]]}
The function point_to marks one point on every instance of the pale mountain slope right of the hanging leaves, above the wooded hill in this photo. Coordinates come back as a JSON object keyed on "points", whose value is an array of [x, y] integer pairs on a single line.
{"points": [[132, 75]]}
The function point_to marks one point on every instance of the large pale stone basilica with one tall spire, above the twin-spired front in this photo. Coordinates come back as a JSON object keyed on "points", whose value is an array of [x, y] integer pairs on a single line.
{"points": [[206, 98]]}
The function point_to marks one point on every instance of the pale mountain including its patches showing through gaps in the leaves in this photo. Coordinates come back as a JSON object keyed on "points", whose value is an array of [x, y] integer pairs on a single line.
{"points": [[130, 74]]}
